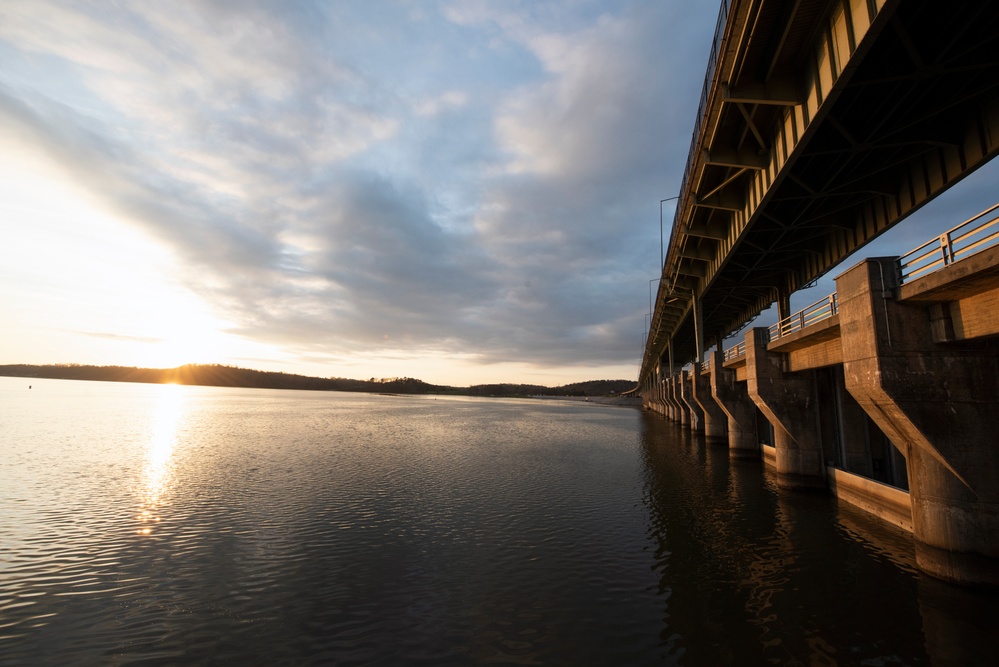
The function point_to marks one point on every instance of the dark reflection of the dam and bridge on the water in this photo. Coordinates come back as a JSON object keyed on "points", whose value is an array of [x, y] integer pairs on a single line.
{"points": [[757, 575]]}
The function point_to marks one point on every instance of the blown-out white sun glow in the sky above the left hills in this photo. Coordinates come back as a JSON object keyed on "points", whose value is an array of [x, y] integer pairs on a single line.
{"points": [[104, 283]]}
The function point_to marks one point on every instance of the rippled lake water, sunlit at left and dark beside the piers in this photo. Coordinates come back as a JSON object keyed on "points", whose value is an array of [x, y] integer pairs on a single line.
{"points": [[191, 525]]}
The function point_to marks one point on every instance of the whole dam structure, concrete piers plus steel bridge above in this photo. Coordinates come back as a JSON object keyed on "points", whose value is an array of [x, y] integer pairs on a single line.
{"points": [[821, 125]]}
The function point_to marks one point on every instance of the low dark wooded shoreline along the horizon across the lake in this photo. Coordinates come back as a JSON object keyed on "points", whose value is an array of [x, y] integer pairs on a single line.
{"points": [[215, 375]]}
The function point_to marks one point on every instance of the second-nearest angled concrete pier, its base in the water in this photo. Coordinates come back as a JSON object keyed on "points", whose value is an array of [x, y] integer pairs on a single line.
{"points": [[788, 400]]}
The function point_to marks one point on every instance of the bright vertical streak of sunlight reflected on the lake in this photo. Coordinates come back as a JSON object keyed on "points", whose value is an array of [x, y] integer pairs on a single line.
{"points": [[157, 478]]}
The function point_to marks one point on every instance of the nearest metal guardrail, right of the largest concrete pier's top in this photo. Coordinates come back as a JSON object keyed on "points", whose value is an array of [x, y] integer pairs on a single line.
{"points": [[971, 236]]}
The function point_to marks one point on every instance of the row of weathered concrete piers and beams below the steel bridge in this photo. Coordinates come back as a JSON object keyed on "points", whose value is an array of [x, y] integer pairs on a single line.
{"points": [[894, 370]]}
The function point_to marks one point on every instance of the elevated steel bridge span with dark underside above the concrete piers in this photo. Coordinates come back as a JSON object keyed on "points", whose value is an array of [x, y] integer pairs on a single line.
{"points": [[823, 123]]}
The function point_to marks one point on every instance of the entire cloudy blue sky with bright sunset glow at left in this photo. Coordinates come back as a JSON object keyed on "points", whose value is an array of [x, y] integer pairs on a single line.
{"points": [[458, 191]]}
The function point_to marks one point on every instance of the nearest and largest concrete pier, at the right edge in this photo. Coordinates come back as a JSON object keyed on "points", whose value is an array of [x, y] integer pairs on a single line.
{"points": [[939, 404]]}
